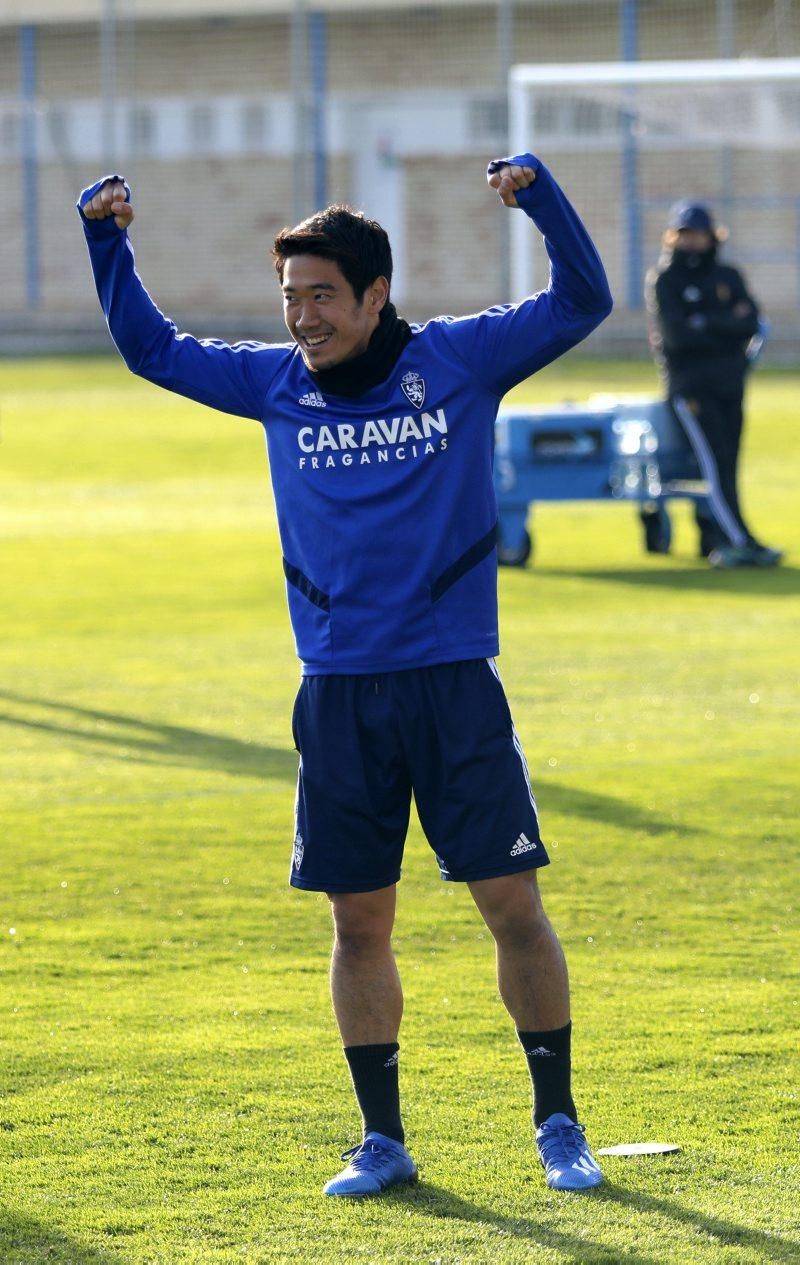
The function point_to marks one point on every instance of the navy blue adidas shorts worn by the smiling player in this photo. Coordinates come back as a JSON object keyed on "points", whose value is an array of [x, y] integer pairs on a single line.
{"points": [[442, 734]]}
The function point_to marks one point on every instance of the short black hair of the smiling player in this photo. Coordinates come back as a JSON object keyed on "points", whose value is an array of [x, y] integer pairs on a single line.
{"points": [[358, 245]]}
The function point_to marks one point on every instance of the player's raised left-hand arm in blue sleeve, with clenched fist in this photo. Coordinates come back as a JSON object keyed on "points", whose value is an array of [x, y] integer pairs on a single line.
{"points": [[231, 379]]}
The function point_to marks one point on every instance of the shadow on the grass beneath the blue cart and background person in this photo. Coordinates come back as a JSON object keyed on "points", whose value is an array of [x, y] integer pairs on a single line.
{"points": [[774, 583]]}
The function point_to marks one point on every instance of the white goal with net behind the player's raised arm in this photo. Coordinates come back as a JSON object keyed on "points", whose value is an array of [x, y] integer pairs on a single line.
{"points": [[630, 139]]}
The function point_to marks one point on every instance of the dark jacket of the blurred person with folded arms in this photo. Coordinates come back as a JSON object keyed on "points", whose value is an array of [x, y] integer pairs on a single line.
{"points": [[698, 341]]}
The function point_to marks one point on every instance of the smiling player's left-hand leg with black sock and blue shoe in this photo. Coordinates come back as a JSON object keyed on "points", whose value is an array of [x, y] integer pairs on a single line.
{"points": [[368, 1003]]}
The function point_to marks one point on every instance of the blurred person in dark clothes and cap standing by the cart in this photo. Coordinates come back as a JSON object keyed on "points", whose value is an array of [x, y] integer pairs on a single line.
{"points": [[702, 324]]}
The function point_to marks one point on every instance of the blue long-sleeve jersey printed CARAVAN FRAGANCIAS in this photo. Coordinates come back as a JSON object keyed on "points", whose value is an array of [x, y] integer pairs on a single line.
{"points": [[385, 504]]}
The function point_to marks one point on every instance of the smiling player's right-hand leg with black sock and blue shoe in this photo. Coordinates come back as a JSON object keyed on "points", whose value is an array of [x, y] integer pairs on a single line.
{"points": [[534, 982]]}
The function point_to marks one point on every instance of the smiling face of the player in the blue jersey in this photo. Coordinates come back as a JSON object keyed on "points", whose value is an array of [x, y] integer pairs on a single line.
{"points": [[322, 313]]}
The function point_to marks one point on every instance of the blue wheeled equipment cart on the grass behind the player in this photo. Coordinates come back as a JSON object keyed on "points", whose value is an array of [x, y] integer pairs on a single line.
{"points": [[628, 450]]}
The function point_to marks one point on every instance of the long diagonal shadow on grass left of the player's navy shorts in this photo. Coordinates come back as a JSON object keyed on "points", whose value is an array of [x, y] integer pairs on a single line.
{"points": [[149, 742]]}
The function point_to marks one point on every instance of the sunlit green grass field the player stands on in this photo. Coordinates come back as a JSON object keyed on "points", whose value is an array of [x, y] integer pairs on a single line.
{"points": [[173, 1085]]}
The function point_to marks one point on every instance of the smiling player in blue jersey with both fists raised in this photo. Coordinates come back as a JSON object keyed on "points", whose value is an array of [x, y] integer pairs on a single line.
{"points": [[380, 438]]}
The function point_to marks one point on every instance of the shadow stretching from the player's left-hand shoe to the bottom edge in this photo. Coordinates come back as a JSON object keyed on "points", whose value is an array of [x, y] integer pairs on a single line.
{"points": [[435, 1201]]}
